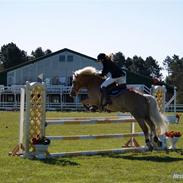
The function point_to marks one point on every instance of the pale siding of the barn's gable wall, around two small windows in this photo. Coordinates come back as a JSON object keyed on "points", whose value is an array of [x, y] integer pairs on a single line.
{"points": [[51, 67]]}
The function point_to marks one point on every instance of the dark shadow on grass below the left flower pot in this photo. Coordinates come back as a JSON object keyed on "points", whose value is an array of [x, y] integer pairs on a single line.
{"points": [[60, 162]]}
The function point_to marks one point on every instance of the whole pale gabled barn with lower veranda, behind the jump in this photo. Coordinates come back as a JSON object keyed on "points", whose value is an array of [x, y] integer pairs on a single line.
{"points": [[54, 69]]}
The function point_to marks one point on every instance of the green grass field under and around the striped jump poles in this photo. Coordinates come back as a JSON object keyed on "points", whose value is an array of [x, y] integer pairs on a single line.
{"points": [[130, 167]]}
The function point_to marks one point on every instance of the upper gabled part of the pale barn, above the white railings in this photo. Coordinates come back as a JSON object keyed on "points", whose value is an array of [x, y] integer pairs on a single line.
{"points": [[54, 69]]}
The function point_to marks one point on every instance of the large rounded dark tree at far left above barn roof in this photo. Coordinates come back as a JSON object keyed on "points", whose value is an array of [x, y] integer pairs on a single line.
{"points": [[11, 55]]}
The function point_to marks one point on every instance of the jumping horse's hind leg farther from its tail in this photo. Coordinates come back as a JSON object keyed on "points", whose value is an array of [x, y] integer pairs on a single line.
{"points": [[145, 129]]}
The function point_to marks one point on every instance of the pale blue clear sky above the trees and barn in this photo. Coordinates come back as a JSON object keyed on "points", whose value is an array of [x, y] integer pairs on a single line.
{"points": [[133, 27]]}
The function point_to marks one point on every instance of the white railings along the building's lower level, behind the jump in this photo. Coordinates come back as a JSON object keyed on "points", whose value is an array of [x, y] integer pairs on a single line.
{"points": [[10, 98]]}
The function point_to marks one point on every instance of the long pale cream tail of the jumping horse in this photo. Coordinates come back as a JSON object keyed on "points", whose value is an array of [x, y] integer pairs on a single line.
{"points": [[156, 117]]}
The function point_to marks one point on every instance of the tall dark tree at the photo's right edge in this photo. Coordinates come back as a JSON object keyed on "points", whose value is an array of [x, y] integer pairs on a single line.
{"points": [[174, 66]]}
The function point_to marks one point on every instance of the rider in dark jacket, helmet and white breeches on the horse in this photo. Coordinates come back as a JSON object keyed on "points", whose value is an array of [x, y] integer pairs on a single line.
{"points": [[116, 75]]}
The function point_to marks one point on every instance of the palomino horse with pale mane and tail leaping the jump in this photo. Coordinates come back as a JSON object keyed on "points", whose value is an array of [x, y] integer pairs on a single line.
{"points": [[143, 107]]}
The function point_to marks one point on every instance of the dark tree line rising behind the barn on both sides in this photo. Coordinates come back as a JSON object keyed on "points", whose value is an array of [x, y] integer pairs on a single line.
{"points": [[11, 55]]}
